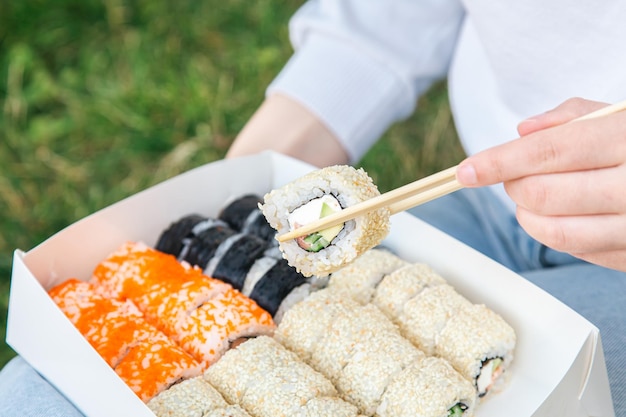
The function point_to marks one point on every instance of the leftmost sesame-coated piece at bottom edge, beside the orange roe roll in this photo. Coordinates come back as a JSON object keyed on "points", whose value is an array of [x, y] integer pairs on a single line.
{"points": [[193, 397]]}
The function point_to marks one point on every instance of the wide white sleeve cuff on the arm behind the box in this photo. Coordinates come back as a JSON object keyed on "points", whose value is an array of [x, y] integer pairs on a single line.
{"points": [[355, 97]]}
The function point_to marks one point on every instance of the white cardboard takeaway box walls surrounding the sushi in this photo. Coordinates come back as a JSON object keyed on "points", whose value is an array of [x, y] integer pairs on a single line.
{"points": [[559, 365]]}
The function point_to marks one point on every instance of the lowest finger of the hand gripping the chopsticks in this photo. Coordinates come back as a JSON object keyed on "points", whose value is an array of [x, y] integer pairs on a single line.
{"points": [[576, 234]]}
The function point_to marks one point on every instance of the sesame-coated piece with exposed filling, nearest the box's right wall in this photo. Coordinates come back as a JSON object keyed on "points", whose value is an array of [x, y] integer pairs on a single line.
{"points": [[479, 344]]}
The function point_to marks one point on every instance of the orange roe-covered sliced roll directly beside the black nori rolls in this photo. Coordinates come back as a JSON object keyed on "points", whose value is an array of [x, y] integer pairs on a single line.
{"points": [[205, 316]]}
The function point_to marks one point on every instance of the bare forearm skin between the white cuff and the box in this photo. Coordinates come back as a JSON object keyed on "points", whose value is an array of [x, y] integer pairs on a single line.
{"points": [[283, 125]]}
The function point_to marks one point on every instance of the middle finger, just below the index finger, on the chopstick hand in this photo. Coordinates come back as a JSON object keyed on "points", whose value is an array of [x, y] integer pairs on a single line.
{"points": [[577, 193]]}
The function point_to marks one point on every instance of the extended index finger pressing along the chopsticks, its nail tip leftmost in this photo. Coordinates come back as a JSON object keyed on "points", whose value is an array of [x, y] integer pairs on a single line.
{"points": [[581, 145]]}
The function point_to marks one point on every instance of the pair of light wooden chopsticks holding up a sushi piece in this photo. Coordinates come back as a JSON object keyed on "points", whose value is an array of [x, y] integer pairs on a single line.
{"points": [[412, 194]]}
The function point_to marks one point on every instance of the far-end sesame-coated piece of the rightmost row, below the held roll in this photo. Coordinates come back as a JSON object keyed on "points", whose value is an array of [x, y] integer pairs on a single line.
{"points": [[360, 278]]}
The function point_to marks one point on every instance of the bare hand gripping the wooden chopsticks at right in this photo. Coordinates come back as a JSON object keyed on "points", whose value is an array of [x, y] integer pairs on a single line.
{"points": [[568, 180]]}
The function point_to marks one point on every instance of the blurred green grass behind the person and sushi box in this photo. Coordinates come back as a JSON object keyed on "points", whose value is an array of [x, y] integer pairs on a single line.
{"points": [[102, 98]]}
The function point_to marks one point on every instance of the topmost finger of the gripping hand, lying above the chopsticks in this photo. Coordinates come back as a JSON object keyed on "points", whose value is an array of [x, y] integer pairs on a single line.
{"points": [[566, 111]]}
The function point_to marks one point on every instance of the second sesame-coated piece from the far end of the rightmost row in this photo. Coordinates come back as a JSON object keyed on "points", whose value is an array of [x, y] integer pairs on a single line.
{"points": [[398, 287]]}
